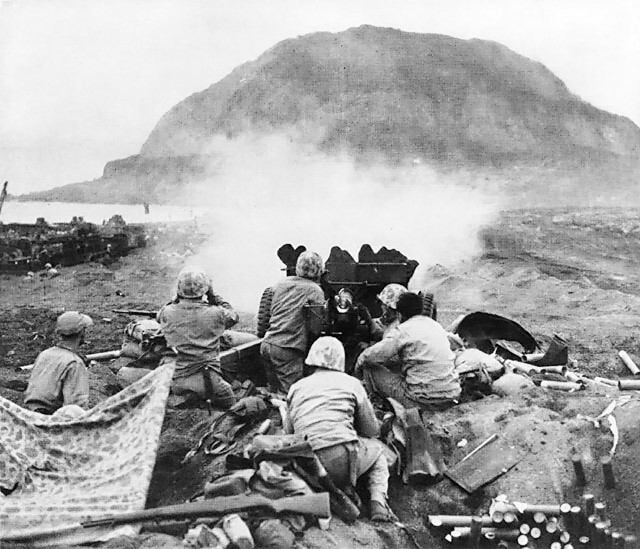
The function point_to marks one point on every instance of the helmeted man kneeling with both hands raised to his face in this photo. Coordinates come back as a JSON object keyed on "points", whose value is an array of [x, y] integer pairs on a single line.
{"points": [[196, 324]]}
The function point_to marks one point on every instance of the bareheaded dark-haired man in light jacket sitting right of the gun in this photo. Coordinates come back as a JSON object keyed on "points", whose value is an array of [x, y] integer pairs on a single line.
{"points": [[413, 363]]}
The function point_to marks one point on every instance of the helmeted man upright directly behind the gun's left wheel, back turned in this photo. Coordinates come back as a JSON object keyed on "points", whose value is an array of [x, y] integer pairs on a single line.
{"points": [[287, 339]]}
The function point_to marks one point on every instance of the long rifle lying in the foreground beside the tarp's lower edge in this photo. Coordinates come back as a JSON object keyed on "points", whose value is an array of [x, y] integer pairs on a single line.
{"points": [[311, 504]]}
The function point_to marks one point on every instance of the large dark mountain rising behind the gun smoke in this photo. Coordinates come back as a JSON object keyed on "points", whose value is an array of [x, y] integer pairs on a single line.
{"points": [[376, 93]]}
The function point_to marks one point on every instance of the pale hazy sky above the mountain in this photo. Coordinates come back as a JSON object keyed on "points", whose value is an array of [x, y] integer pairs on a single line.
{"points": [[83, 82]]}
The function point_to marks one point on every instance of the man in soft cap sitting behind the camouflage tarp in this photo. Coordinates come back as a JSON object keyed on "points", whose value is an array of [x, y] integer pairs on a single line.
{"points": [[60, 376]]}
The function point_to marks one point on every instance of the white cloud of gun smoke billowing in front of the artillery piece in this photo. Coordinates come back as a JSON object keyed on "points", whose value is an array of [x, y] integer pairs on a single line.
{"points": [[267, 191]]}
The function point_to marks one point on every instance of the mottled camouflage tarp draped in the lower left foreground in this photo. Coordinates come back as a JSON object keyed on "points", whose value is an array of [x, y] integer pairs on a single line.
{"points": [[64, 472]]}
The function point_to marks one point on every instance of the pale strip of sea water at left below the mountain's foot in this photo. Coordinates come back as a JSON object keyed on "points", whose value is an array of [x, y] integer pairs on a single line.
{"points": [[62, 212]]}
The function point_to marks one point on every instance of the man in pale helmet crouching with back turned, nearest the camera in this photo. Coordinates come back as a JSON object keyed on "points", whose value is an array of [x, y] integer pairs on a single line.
{"points": [[332, 411]]}
